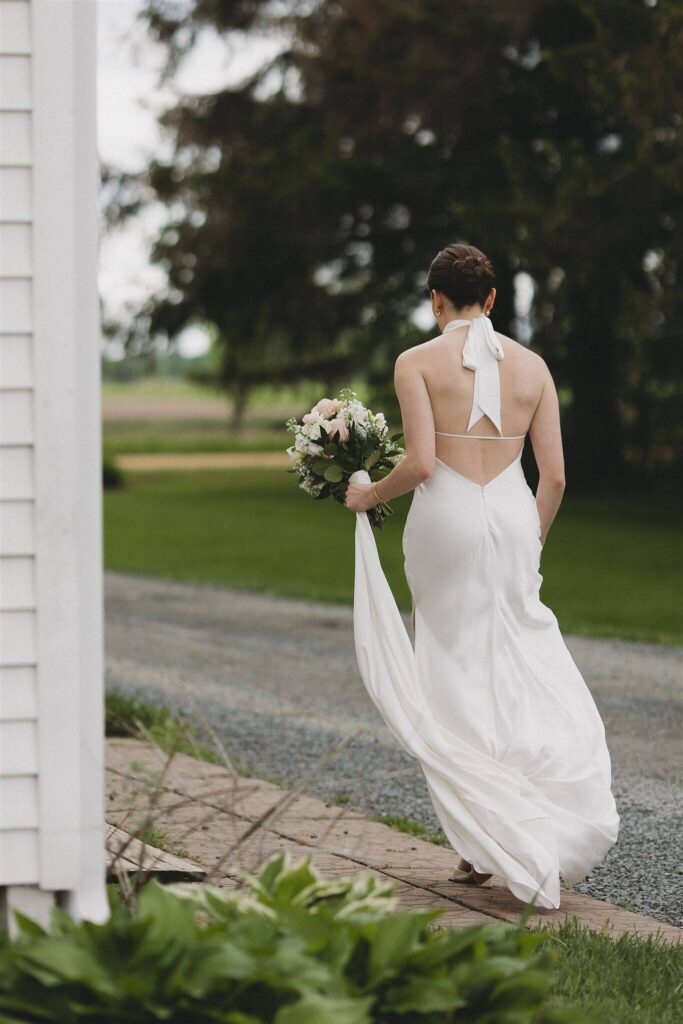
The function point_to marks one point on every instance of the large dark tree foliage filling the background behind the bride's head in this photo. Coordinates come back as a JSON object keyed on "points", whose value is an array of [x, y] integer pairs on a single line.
{"points": [[546, 133]]}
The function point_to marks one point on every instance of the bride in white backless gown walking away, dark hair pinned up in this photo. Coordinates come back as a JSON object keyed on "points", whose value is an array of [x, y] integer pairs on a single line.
{"points": [[488, 699]]}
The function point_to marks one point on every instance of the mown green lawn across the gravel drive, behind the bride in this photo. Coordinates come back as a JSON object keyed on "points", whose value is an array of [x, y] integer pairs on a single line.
{"points": [[611, 567]]}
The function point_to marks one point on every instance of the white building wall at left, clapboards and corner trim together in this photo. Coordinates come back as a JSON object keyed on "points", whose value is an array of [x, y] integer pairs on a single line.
{"points": [[52, 805]]}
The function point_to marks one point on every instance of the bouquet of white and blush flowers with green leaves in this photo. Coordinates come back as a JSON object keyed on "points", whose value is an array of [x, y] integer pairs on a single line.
{"points": [[341, 441]]}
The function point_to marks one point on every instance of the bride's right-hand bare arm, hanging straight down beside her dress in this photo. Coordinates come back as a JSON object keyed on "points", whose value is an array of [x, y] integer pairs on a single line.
{"points": [[546, 439]]}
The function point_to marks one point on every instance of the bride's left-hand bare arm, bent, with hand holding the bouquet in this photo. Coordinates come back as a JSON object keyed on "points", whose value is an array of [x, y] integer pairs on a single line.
{"points": [[418, 423]]}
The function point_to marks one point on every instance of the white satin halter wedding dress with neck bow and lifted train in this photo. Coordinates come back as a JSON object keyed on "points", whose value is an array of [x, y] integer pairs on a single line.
{"points": [[490, 700]]}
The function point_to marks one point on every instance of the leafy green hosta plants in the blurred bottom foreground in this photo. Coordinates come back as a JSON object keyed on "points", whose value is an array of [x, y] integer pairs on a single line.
{"points": [[289, 949]]}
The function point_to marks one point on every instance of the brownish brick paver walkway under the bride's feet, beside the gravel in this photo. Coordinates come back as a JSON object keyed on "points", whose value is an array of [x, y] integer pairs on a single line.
{"points": [[225, 823]]}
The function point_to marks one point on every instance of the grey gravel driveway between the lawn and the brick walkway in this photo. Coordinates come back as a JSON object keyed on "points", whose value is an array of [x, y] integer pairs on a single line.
{"points": [[278, 682]]}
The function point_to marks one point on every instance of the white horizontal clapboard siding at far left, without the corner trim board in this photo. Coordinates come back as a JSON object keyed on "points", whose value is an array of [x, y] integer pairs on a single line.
{"points": [[20, 826]]}
